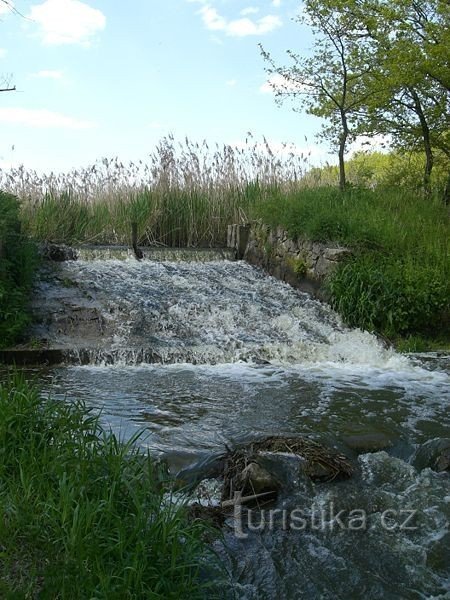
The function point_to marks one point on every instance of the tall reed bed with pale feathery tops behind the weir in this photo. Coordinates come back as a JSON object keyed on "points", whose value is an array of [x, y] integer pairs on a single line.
{"points": [[184, 195]]}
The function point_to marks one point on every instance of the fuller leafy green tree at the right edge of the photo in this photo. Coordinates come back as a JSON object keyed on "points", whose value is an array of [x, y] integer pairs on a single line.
{"points": [[411, 42]]}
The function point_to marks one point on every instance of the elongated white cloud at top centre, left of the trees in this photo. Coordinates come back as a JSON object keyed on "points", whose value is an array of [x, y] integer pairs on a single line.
{"points": [[238, 27]]}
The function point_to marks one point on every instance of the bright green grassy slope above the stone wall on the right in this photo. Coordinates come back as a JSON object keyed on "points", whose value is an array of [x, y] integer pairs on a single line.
{"points": [[397, 282]]}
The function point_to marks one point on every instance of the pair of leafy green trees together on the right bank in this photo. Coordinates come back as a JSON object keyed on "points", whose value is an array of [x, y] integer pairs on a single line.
{"points": [[378, 68]]}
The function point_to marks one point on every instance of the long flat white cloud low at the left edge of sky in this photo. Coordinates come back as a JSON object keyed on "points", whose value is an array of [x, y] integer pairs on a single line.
{"points": [[42, 118]]}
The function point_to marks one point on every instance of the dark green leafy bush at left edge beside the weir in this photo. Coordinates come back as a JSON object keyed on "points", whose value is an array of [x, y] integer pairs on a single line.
{"points": [[18, 262]]}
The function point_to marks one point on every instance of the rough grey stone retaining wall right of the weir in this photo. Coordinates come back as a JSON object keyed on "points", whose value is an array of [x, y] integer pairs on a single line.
{"points": [[301, 263]]}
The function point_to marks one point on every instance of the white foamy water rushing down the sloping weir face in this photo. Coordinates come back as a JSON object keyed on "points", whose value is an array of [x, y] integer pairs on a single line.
{"points": [[212, 313]]}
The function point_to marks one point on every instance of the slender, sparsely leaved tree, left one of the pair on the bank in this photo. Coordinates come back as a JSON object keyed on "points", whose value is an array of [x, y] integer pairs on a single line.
{"points": [[331, 82]]}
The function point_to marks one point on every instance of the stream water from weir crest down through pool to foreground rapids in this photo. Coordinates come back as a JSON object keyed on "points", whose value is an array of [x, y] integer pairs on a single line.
{"points": [[203, 355]]}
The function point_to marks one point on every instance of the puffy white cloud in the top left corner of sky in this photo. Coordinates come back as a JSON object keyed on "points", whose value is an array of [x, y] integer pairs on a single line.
{"points": [[67, 21]]}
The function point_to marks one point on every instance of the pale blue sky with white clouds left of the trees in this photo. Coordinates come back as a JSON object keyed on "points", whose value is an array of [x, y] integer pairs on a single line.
{"points": [[106, 78]]}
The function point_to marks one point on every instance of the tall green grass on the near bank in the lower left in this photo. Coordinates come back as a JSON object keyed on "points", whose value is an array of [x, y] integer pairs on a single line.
{"points": [[83, 514]]}
